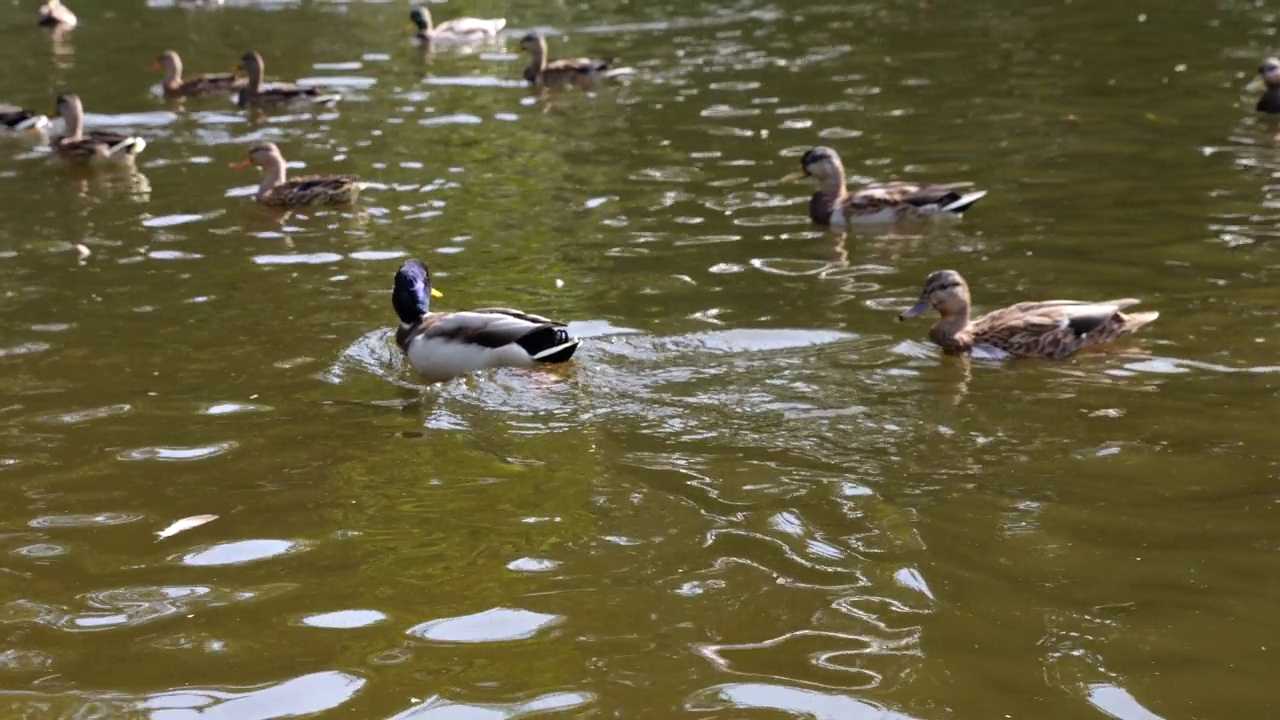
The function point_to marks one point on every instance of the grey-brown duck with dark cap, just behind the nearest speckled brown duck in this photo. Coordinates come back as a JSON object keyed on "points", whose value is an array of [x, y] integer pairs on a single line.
{"points": [[889, 203]]}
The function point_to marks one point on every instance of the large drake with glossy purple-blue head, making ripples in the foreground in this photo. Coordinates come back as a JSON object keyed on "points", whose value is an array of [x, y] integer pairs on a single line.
{"points": [[447, 345]]}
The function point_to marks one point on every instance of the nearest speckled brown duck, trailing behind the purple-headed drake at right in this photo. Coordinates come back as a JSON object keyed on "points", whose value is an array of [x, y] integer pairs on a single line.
{"points": [[1050, 329]]}
